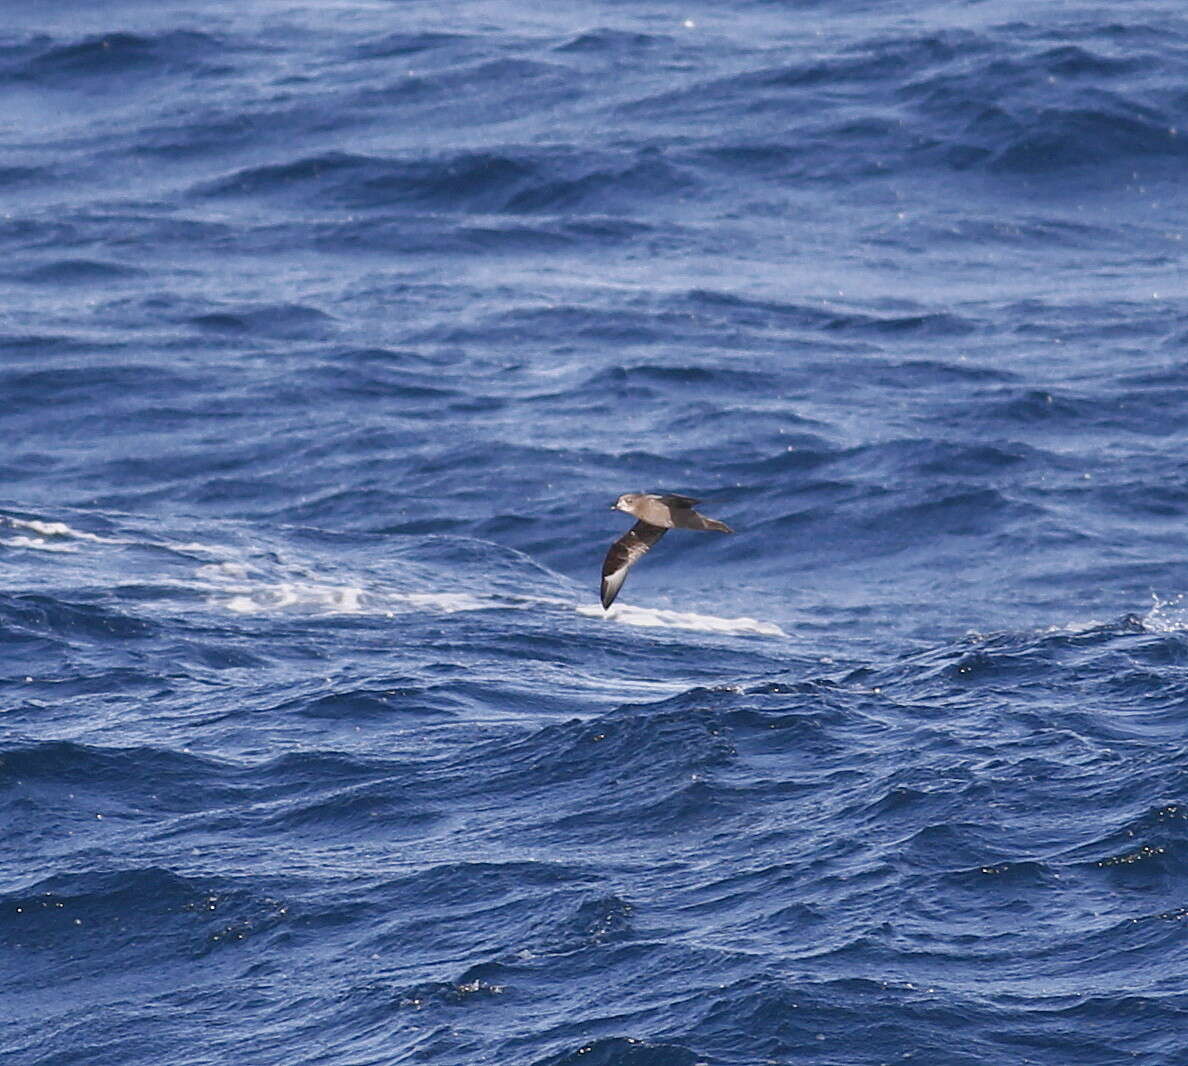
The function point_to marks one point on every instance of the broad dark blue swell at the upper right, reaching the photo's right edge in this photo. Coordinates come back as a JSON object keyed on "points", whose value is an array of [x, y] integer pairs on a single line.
{"points": [[960, 100]]}
